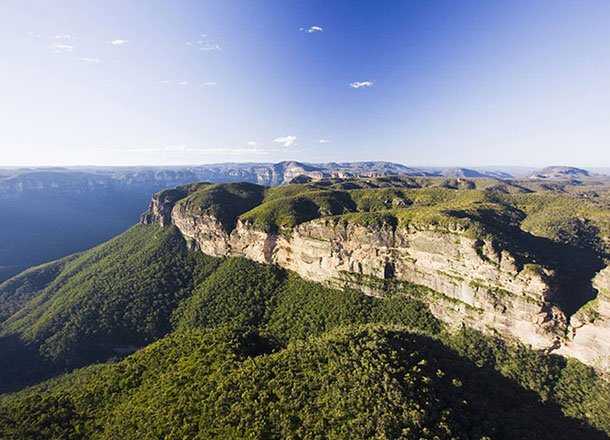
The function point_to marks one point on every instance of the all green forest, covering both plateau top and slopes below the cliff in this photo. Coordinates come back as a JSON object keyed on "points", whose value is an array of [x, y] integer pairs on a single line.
{"points": [[229, 348]]}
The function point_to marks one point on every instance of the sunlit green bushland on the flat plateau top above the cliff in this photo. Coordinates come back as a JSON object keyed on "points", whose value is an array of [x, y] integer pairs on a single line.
{"points": [[571, 212]]}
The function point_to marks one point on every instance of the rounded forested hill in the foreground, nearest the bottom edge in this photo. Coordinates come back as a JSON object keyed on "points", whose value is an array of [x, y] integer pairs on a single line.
{"points": [[352, 382]]}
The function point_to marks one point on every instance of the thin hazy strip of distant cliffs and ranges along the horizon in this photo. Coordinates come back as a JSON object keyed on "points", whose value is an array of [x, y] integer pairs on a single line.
{"points": [[86, 179]]}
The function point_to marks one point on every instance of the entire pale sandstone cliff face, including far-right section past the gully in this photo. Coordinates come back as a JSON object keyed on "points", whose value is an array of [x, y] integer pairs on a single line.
{"points": [[470, 280]]}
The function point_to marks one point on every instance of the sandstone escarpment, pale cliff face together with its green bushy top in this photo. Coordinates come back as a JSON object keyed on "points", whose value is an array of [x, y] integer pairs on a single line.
{"points": [[470, 272]]}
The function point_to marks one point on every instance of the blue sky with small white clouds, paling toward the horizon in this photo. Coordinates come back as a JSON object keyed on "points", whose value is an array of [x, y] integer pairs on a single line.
{"points": [[420, 82]]}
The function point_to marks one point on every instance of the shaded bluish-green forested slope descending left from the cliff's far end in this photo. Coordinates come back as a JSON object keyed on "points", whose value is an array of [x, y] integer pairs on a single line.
{"points": [[107, 301]]}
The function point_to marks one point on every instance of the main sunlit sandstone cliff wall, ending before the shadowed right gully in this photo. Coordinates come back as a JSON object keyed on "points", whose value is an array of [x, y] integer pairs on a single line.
{"points": [[478, 285]]}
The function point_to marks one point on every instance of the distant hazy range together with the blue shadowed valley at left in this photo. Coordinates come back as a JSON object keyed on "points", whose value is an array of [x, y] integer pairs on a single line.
{"points": [[51, 212]]}
